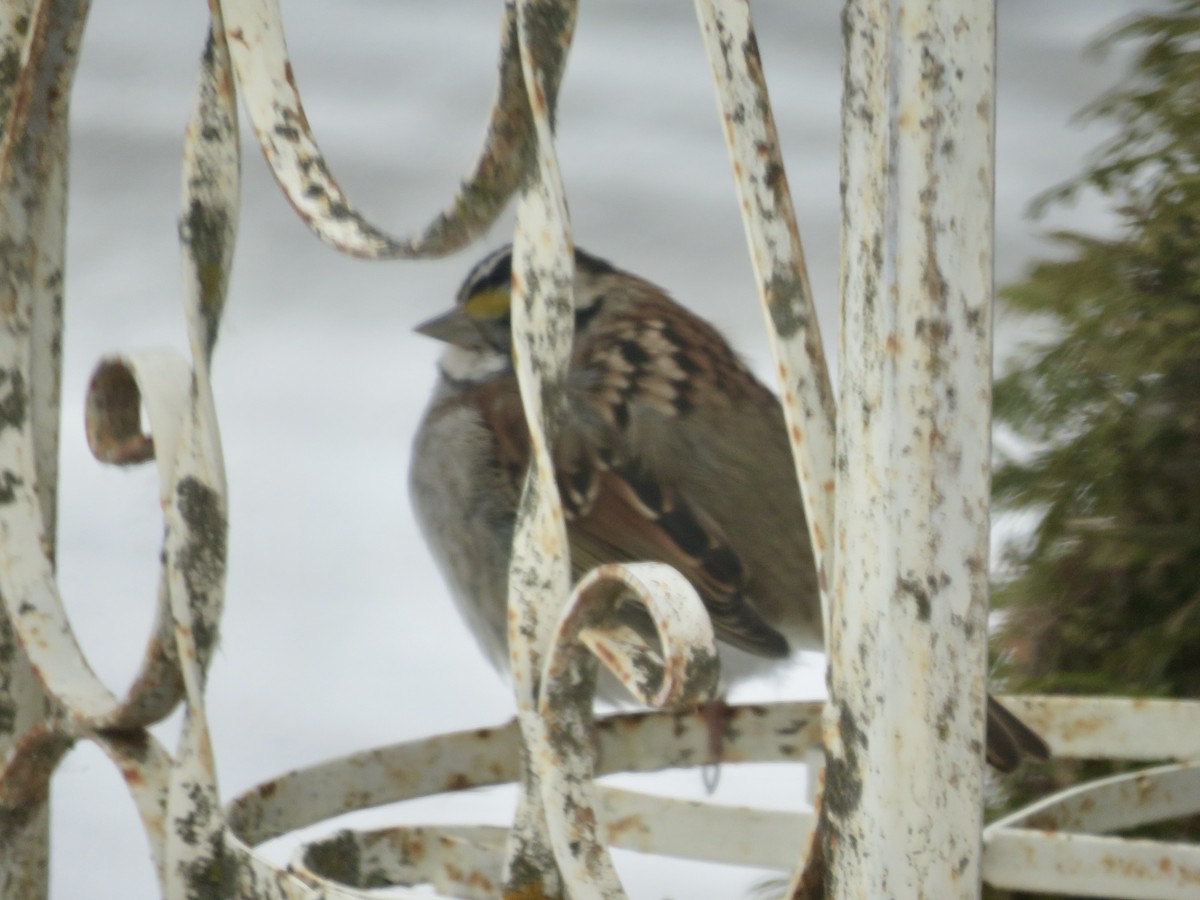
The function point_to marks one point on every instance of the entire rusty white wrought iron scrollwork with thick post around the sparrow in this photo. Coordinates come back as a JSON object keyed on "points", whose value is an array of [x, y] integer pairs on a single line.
{"points": [[896, 494]]}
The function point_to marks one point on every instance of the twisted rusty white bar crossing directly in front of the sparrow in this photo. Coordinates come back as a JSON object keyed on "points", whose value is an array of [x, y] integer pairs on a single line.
{"points": [[539, 571]]}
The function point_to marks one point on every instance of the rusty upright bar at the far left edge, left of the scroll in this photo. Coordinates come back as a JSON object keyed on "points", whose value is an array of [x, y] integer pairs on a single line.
{"points": [[40, 46]]}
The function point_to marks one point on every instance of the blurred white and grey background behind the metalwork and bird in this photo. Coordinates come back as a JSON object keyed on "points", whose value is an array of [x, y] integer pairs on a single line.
{"points": [[339, 634]]}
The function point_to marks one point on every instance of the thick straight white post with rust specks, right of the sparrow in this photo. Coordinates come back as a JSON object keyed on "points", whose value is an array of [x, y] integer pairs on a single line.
{"points": [[905, 784]]}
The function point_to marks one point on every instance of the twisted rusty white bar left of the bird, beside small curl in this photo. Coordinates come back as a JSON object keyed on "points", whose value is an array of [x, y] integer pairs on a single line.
{"points": [[197, 508]]}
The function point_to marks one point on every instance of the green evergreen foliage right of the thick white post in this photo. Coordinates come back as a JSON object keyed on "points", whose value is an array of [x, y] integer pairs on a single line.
{"points": [[1105, 596]]}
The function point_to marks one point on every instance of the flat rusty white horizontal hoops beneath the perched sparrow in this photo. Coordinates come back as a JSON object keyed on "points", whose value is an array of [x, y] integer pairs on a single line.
{"points": [[647, 742]]}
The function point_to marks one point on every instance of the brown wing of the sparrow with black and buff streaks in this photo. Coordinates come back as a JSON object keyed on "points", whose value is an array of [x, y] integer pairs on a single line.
{"points": [[662, 364]]}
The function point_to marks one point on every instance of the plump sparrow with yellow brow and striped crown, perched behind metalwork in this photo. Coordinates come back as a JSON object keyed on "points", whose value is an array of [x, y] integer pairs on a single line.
{"points": [[671, 451]]}
